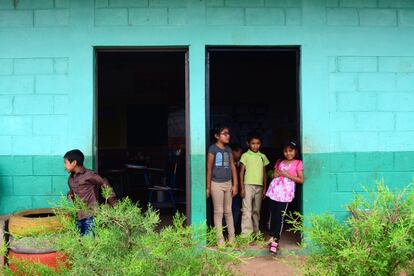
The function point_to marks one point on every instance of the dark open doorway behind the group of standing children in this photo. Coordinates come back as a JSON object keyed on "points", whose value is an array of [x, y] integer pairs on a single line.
{"points": [[255, 89]]}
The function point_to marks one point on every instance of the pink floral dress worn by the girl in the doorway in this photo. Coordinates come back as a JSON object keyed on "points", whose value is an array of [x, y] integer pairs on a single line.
{"points": [[282, 189]]}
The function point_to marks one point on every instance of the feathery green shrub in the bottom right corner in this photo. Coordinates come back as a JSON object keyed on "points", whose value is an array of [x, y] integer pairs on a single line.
{"points": [[377, 239]]}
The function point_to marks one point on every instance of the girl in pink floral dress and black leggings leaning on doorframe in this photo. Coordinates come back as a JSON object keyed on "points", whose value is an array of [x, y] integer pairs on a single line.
{"points": [[281, 192]]}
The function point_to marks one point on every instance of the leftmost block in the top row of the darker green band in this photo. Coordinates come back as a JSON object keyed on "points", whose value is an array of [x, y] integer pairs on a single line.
{"points": [[16, 165]]}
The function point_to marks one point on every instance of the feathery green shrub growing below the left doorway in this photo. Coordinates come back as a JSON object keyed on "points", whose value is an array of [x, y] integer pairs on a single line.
{"points": [[125, 242]]}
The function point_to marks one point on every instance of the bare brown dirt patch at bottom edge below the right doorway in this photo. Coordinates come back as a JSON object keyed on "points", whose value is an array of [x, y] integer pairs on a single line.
{"points": [[269, 265]]}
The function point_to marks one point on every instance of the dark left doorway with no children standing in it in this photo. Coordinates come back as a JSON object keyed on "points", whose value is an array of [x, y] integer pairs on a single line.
{"points": [[141, 129]]}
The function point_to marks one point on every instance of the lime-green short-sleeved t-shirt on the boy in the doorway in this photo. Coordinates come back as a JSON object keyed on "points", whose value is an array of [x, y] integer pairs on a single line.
{"points": [[254, 163]]}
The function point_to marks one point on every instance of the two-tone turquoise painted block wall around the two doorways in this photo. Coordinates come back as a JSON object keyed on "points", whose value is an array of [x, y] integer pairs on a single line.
{"points": [[357, 85]]}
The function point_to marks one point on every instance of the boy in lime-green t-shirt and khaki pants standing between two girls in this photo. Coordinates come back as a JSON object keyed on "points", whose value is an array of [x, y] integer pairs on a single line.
{"points": [[253, 184]]}
